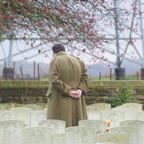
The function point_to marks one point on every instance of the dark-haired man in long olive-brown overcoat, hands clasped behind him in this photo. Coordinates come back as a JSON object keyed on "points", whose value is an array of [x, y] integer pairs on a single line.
{"points": [[68, 84]]}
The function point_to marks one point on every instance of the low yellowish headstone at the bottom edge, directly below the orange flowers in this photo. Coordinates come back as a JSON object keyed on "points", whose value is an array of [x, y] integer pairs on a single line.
{"points": [[117, 138]]}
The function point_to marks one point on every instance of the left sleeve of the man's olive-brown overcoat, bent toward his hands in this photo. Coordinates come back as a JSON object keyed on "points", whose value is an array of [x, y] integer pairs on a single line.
{"points": [[56, 82]]}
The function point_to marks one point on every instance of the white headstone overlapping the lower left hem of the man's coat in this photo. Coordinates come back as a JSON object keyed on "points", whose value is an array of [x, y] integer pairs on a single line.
{"points": [[57, 126]]}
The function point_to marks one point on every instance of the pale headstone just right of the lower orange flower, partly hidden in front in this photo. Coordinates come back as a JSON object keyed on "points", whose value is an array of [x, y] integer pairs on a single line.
{"points": [[131, 131]]}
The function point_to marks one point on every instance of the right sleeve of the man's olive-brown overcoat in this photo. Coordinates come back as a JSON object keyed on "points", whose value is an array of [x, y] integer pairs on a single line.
{"points": [[84, 83]]}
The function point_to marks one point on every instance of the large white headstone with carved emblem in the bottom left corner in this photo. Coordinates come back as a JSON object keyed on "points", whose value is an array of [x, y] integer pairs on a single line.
{"points": [[11, 132]]}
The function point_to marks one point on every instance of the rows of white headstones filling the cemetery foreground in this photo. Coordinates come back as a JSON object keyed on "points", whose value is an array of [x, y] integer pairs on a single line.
{"points": [[29, 125]]}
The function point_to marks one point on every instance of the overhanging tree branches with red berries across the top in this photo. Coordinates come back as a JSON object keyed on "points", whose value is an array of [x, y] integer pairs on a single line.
{"points": [[82, 26]]}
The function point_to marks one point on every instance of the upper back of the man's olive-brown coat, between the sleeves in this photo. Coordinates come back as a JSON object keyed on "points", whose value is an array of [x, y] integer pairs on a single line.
{"points": [[69, 69]]}
